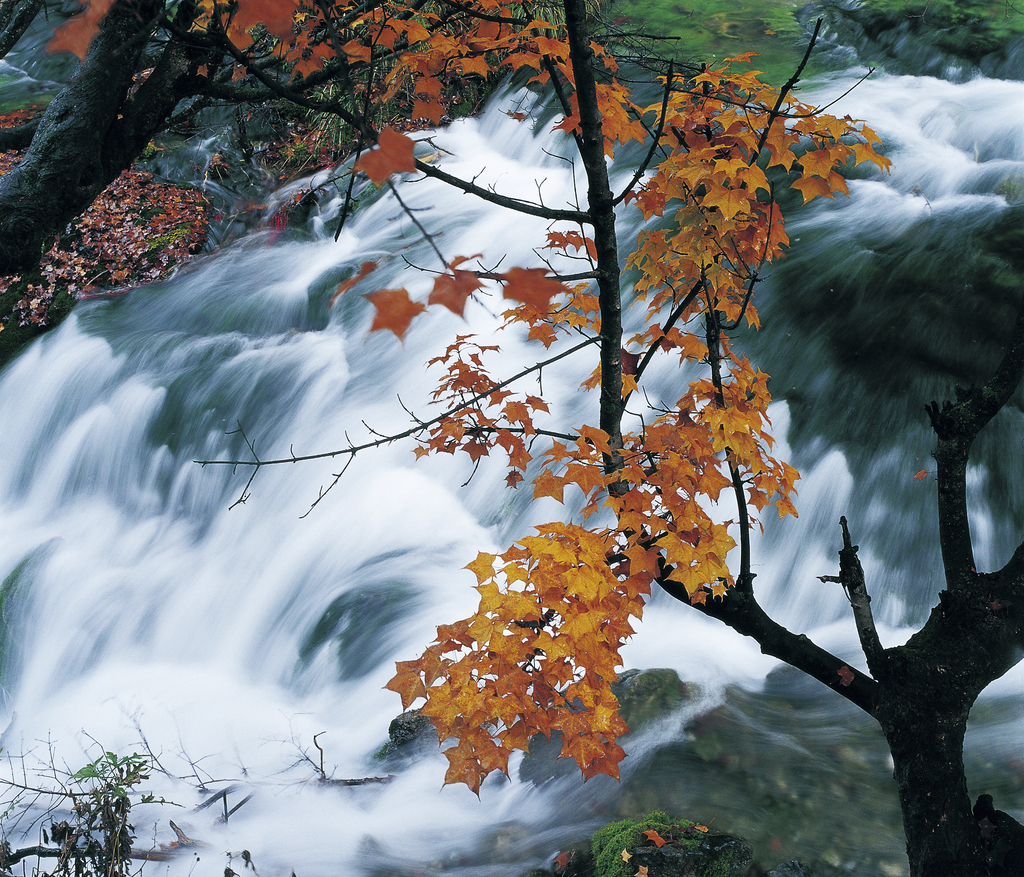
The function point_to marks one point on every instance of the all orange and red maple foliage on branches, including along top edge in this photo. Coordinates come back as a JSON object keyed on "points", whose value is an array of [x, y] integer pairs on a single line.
{"points": [[539, 655]]}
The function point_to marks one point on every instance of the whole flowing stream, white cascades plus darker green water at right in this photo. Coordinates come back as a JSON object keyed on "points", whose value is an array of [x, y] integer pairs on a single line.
{"points": [[141, 605]]}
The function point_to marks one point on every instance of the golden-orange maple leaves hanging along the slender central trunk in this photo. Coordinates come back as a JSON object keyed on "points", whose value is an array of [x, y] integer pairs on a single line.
{"points": [[539, 655]]}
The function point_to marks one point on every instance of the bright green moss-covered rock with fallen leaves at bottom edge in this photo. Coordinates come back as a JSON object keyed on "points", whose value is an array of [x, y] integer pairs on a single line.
{"points": [[622, 849]]}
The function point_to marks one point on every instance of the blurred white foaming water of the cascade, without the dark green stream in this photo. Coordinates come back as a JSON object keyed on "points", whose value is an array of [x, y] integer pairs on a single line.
{"points": [[144, 606]]}
